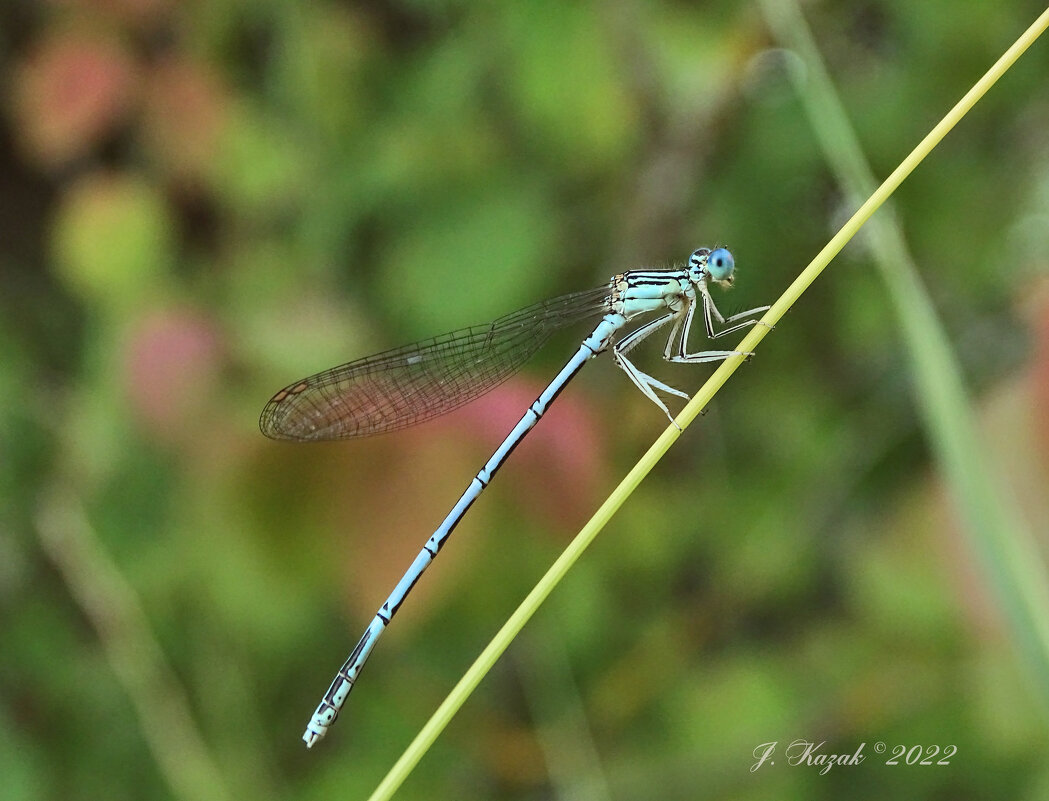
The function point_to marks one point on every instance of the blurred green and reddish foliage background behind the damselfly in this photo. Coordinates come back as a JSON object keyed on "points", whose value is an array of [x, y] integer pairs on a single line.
{"points": [[201, 203]]}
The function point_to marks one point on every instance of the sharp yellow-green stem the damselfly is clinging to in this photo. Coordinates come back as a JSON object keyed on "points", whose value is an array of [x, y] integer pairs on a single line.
{"points": [[528, 608]]}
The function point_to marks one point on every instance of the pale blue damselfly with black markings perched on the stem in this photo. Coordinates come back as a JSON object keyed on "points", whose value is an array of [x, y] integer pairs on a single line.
{"points": [[401, 387]]}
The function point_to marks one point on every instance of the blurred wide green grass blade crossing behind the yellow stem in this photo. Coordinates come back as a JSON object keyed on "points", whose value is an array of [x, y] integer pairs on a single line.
{"points": [[1003, 545]]}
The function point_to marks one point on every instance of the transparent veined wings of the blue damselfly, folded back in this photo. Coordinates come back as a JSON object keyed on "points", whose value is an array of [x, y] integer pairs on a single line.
{"points": [[415, 383]]}
